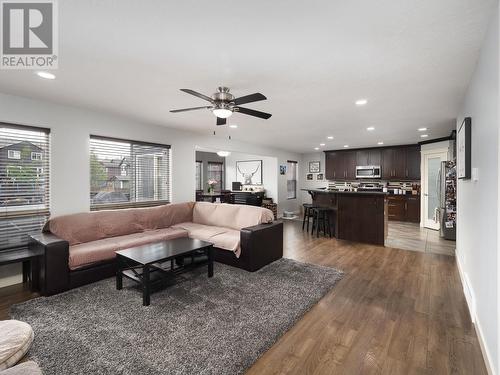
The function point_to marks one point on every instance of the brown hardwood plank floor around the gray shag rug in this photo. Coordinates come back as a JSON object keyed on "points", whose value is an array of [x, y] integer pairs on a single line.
{"points": [[394, 312]]}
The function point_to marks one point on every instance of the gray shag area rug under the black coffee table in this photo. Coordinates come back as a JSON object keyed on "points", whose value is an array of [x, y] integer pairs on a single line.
{"points": [[217, 326]]}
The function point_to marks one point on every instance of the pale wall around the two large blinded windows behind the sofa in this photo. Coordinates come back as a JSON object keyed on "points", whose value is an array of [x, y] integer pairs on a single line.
{"points": [[70, 130]]}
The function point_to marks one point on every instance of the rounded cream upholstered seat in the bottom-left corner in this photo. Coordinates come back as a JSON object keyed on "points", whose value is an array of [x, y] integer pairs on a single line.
{"points": [[15, 340]]}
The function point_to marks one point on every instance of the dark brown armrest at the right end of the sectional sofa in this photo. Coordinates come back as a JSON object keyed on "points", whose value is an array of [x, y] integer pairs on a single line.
{"points": [[261, 244]]}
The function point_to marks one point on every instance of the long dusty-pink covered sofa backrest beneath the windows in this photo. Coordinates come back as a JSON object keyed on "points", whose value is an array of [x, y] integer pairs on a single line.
{"points": [[92, 226]]}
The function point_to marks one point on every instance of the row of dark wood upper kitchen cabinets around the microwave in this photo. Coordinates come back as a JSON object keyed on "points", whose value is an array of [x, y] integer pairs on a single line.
{"points": [[399, 163]]}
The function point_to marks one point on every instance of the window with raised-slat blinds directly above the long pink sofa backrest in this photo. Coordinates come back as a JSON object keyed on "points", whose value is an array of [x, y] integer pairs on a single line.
{"points": [[128, 173]]}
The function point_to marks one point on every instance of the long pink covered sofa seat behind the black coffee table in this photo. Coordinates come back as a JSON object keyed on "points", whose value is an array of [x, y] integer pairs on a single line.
{"points": [[96, 251]]}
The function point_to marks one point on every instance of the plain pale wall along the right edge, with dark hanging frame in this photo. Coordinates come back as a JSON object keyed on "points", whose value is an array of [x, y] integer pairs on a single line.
{"points": [[477, 205]]}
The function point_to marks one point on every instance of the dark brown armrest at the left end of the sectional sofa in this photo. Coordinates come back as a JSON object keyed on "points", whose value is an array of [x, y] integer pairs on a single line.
{"points": [[53, 266]]}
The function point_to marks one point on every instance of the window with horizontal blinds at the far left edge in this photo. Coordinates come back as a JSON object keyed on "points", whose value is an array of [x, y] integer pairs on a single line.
{"points": [[24, 183]]}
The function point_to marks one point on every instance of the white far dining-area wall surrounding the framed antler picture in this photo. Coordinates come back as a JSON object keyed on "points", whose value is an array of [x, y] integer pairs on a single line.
{"points": [[270, 172]]}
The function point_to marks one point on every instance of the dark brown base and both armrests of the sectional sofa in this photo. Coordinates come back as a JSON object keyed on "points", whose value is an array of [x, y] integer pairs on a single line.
{"points": [[260, 245]]}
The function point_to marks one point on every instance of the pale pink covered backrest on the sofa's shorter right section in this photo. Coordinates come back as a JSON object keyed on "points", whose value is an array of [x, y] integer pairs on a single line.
{"points": [[234, 216]]}
